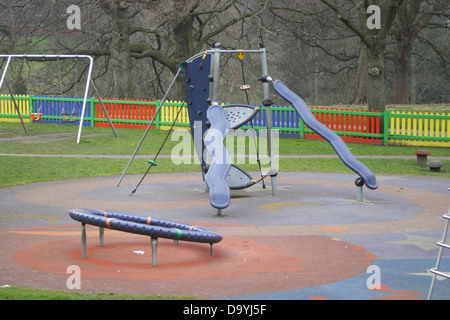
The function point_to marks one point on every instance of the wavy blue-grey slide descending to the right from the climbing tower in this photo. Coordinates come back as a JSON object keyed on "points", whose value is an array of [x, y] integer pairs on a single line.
{"points": [[336, 142]]}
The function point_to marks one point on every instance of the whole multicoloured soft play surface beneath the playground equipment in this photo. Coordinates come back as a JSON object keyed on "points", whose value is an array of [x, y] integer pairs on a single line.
{"points": [[312, 240]]}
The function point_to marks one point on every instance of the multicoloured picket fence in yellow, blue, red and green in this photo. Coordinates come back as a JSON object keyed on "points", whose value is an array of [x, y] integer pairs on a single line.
{"points": [[393, 128]]}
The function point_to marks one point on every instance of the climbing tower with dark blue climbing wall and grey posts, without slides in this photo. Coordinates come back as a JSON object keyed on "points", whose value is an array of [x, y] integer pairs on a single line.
{"points": [[203, 93]]}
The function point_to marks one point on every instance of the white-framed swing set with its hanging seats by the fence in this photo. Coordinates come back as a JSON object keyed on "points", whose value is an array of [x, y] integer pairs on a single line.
{"points": [[68, 115]]}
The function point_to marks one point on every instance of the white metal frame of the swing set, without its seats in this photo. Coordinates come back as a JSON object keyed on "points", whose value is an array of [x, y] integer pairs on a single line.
{"points": [[56, 57]]}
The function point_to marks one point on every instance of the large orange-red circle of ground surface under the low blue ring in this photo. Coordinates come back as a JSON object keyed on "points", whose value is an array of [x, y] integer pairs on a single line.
{"points": [[259, 263]]}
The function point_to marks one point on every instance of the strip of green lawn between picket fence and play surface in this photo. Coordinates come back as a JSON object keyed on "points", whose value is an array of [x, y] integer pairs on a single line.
{"points": [[53, 139]]}
